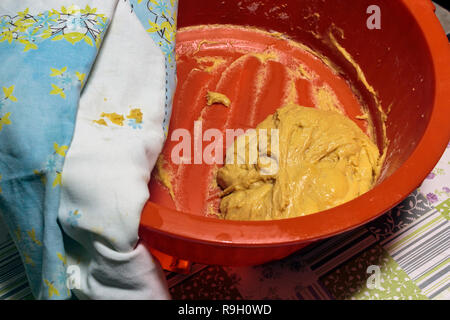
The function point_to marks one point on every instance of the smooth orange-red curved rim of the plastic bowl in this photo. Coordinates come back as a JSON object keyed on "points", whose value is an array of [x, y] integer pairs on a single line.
{"points": [[401, 183]]}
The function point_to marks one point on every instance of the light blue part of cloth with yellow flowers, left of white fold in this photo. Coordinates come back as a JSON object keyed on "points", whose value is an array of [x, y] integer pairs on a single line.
{"points": [[46, 51]]}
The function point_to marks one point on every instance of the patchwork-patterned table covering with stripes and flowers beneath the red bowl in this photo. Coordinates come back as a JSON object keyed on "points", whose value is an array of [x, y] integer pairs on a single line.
{"points": [[405, 254]]}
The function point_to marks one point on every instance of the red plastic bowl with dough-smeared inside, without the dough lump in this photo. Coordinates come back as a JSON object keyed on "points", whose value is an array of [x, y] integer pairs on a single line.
{"points": [[405, 63]]}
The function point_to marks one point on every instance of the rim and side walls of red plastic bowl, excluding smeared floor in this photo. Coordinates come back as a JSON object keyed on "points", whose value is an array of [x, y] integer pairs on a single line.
{"points": [[406, 62]]}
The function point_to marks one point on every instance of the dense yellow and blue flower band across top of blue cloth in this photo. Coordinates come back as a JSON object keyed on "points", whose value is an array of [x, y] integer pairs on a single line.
{"points": [[72, 24]]}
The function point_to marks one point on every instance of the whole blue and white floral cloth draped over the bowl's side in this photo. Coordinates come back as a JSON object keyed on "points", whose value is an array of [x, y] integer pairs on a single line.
{"points": [[47, 49]]}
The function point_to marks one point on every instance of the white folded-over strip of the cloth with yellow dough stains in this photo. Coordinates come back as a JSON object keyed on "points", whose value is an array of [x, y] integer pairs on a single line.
{"points": [[118, 136]]}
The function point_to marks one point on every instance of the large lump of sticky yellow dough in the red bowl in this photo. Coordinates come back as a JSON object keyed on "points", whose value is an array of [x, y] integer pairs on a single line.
{"points": [[323, 159]]}
